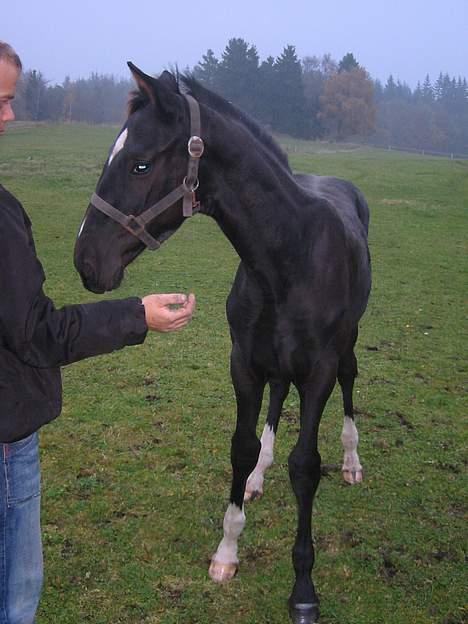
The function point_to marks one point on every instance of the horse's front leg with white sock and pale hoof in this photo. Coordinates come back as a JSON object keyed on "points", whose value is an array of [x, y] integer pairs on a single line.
{"points": [[245, 449]]}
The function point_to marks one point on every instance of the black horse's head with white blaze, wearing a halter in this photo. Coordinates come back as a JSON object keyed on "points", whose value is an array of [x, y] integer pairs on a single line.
{"points": [[147, 163]]}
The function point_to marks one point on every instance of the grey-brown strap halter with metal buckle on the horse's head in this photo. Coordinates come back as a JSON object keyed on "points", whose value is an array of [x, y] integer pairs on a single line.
{"points": [[136, 225]]}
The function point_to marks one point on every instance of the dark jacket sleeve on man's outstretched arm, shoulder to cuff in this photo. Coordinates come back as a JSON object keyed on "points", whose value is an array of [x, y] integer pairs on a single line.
{"points": [[31, 326]]}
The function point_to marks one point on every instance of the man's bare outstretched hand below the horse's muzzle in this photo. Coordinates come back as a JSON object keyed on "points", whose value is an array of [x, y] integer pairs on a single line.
{"points": [[168, 312]]}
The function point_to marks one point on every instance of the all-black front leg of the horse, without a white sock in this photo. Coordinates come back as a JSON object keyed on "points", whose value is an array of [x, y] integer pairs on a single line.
{"points": [[304, 472]]}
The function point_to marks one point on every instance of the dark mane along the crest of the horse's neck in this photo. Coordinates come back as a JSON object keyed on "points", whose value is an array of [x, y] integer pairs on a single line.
{"points": [[219, 104]]}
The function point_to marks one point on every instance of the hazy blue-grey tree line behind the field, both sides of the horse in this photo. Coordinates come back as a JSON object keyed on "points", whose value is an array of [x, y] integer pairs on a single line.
{"points": [[315, 97]]}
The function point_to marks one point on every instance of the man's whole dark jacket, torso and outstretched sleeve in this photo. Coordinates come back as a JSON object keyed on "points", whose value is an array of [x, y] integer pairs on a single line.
{"points": [[36, 339]]}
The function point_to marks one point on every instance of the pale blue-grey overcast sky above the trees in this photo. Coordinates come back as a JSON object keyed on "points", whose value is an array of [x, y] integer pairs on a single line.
{"points": [[406, 38]]}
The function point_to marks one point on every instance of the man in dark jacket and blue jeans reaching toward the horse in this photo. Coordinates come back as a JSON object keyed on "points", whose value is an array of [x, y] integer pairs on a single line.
{"points": [[36, 339]]}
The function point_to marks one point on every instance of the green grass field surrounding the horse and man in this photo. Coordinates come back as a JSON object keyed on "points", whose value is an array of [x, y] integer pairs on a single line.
{"points": [[136, 471]]}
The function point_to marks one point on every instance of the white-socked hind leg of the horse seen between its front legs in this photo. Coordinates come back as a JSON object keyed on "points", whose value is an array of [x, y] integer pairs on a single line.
{"points": [[278, 393]]}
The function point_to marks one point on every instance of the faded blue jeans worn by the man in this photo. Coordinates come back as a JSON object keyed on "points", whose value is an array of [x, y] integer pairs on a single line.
{"points": [[21, 567]]}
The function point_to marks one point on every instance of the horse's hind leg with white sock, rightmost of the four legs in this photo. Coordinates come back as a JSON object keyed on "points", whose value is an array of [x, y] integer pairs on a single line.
{"points": [[347, 373]]}
